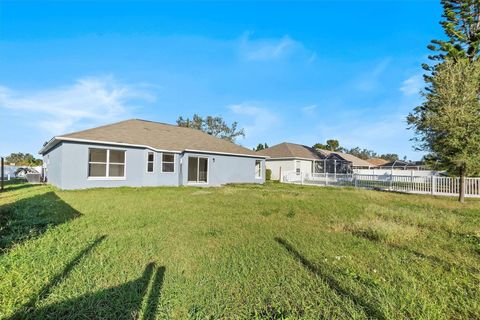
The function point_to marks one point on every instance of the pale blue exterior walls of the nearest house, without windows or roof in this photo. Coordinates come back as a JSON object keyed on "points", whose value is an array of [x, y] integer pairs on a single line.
{"points": [[67, 168]]}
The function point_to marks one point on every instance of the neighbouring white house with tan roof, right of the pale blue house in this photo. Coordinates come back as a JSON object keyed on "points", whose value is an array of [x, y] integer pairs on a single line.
{"points": [[290, 157]]}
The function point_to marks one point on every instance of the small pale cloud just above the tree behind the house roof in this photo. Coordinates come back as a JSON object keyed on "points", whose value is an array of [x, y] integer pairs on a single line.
{"points": [[258, 119]]}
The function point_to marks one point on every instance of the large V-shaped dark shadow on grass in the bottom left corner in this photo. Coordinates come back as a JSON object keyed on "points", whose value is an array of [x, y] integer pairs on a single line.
{"points": [[120, 302]]}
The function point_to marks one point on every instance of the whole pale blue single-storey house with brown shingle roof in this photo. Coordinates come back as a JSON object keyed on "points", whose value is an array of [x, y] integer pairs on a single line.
{"points": [[146, 153]]}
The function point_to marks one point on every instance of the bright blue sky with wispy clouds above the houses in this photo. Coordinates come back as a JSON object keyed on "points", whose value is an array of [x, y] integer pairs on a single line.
{"points": [[301, 72]]}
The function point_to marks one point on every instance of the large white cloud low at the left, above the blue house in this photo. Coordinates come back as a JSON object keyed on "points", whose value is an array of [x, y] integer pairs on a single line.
{"points": [[89, 101]]}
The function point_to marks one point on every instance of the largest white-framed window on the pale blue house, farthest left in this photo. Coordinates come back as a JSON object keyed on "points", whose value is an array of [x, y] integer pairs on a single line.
{"points": [[106, 163]]}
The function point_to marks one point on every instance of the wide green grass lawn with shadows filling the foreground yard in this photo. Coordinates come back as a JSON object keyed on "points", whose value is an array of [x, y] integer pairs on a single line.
{"points": [[242, 252]]}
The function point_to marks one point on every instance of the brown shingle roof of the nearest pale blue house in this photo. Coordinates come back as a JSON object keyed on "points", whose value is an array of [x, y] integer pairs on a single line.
{"points": [[158, 136]]}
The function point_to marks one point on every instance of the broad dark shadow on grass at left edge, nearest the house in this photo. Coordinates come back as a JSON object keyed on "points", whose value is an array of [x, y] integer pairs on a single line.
{"points": [[30, 217]]}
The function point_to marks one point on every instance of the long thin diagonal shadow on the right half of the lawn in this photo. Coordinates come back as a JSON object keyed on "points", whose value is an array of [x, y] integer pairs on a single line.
{"points": [[322, 271]]}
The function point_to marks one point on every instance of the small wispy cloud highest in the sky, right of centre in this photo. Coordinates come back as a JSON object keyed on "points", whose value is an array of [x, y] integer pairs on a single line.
{"points": [[269, 49]]}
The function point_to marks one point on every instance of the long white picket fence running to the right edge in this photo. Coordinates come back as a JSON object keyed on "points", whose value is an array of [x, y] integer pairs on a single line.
{"points": [[434, 185]]}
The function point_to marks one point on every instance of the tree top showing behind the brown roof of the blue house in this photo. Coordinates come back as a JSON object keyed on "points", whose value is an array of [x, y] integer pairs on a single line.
{"points": [[214, 126]]}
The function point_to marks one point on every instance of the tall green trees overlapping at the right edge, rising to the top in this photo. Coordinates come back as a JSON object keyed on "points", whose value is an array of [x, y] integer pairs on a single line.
{"points": [[451, 94]]}
